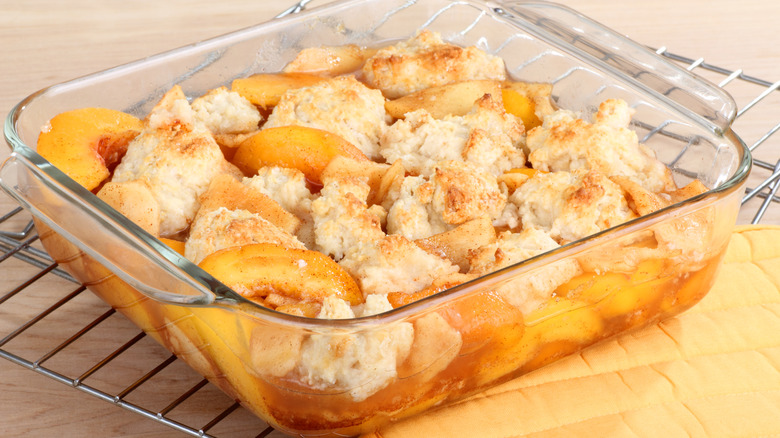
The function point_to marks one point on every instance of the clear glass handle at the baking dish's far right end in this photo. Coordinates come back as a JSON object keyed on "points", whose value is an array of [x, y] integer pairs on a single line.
{"points": [[586, 39]]}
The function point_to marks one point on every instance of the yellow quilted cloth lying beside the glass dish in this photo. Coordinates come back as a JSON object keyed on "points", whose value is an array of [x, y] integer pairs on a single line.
{"points": [[712, 371]]}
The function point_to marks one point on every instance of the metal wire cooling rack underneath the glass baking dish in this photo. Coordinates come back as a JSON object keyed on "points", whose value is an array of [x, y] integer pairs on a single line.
{"points": [[80, 329]]}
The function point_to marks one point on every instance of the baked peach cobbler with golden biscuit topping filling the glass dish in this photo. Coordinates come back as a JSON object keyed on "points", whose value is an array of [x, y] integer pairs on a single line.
{"points": [[360, 180]]}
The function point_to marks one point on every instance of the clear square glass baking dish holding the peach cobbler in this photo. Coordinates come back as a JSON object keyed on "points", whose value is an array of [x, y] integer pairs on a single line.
{"points": [[386, 367]]}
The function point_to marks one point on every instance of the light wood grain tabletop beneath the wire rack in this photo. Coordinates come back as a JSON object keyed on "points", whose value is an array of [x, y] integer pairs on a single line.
{"points": [[43, 42]]}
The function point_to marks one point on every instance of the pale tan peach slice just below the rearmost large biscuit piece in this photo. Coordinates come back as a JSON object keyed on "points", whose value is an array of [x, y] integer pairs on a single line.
{"points": [[452, 99]]}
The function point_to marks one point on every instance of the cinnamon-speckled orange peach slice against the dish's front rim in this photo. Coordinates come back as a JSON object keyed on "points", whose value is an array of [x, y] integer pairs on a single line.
{"points": [[260, 269]]}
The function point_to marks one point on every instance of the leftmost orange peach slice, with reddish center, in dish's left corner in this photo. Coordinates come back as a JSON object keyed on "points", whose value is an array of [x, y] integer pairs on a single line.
{"points": [[86, 143]]}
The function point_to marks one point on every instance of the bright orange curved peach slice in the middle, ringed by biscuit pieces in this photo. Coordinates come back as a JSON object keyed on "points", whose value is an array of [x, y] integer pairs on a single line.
{"points": [[309, 150]]}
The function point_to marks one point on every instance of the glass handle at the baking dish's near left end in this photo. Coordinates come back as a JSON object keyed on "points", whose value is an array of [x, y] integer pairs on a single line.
{"points": [[146, 264]]}
